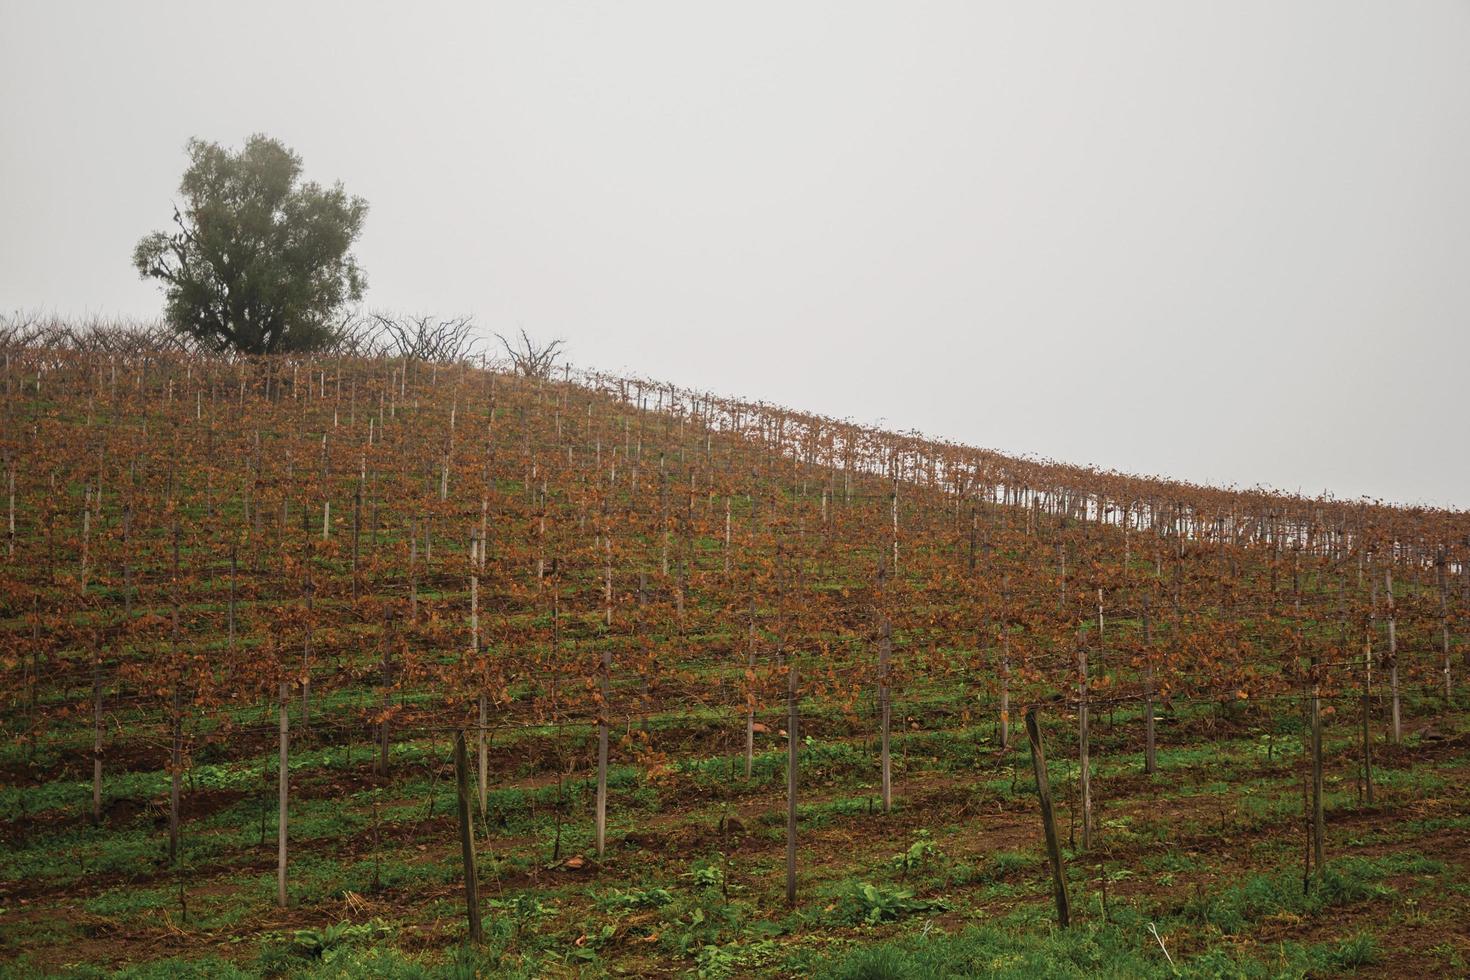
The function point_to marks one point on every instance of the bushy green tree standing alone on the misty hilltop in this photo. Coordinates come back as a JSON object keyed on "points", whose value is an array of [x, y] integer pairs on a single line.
{"points": [[258, 264]]}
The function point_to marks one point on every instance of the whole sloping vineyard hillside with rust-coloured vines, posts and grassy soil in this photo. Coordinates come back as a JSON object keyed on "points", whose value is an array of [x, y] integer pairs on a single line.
{"points": [[351, 666]]}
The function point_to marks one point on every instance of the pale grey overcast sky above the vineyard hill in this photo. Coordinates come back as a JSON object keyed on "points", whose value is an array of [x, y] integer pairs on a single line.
{"points": [[1218, 242]]}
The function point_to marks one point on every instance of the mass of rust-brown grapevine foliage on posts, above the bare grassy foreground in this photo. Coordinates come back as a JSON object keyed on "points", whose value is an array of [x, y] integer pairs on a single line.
{"points": [[215, 555]]}
